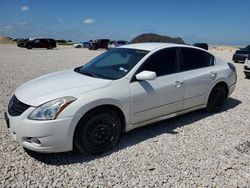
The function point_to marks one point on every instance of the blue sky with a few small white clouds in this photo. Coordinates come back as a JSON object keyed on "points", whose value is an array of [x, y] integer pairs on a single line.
{"points": [[213, 21]]}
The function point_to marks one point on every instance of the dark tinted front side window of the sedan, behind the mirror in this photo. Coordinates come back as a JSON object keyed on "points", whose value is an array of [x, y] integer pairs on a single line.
{"points": [[163, 62]]}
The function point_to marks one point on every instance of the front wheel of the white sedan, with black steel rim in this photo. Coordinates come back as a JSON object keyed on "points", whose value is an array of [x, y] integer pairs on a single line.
{"points": [[97, 132]]}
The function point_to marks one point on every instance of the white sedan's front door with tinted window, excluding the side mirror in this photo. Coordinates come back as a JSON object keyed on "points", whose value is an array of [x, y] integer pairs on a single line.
{"points": [[151, 99]]}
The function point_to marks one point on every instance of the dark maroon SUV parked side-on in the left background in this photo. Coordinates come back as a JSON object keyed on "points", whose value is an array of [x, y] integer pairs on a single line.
{"points": [[40, 43]]}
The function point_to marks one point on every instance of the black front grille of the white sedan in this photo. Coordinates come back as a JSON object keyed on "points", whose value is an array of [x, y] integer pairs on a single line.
{"points": [[16, 107]]}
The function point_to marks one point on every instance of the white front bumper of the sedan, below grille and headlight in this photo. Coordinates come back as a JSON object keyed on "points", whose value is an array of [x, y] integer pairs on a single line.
{"points": [[41, 136]]}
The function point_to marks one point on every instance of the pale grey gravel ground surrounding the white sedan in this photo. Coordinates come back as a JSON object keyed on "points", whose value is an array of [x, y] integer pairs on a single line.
{"points": [[193, 150]]}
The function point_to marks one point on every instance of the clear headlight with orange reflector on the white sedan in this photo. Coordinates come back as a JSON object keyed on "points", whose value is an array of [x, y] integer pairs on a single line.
{"points": [[50, 110]]}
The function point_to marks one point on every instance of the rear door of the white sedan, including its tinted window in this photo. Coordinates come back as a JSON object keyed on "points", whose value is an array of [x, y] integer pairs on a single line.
{"points": [[199, 74]]}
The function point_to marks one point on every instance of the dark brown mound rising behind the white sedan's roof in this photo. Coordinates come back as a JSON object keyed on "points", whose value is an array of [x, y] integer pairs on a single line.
{"points": [[151, 37]]}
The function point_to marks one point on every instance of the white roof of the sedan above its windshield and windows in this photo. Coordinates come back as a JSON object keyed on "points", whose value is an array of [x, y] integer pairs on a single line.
{"points": [[151, 46]]}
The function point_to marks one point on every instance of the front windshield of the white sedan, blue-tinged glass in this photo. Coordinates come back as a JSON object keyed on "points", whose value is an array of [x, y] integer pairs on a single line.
{"points": [[112, 64]]}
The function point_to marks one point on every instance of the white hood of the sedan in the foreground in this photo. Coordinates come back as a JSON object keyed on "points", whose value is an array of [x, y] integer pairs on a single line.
{"points": [[56, 85]]}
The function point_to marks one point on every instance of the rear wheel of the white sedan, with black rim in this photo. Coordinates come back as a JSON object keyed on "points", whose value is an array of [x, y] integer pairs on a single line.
{"points": [[216, 99]]}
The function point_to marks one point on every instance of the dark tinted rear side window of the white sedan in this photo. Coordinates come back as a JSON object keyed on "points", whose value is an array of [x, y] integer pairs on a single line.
{"points": [[195, 59]]}
